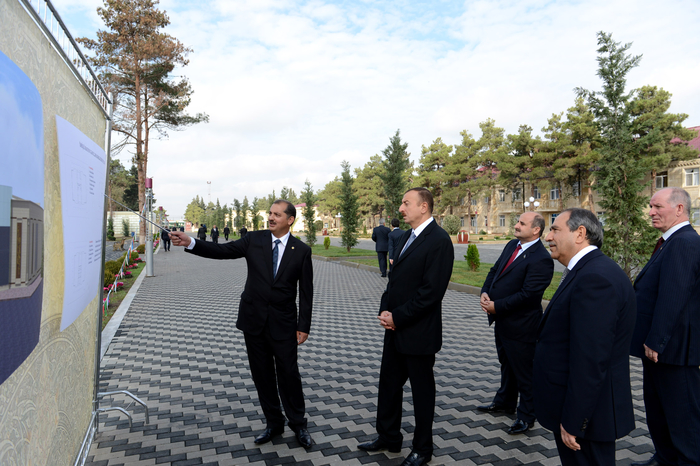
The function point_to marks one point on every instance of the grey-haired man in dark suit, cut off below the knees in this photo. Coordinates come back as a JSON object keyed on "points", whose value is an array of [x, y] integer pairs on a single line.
{"points": [[581, 376]]}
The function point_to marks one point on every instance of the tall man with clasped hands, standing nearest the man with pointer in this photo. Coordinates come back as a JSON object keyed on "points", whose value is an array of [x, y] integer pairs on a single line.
{"points": [[411, 313]]}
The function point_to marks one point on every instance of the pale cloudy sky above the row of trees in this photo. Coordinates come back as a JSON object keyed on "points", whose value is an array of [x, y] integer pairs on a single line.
{"points": [[295, 87]]}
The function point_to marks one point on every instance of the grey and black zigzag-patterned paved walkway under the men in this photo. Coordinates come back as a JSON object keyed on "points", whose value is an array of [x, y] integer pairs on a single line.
{"points": [[179, 351]]}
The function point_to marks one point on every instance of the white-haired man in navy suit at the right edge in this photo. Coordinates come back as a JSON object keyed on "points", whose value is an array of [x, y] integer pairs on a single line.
{"points": [[667, 334]]}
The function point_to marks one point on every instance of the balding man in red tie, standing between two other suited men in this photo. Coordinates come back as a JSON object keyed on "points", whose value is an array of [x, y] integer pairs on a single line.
{"points": [[512, 297]]}
